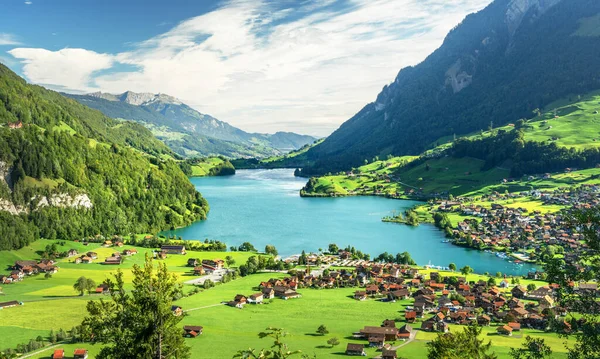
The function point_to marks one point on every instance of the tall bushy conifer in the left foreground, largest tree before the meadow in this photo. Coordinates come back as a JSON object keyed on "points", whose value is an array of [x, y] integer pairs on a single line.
{"points": [[139, 323]]}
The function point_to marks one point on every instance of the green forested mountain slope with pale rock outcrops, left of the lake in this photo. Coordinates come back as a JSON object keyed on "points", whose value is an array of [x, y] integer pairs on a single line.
{"points": [[67, 171]]}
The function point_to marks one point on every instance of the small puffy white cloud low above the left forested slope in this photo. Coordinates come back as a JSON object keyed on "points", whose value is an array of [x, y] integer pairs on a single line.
{"points": [[70, 69]]}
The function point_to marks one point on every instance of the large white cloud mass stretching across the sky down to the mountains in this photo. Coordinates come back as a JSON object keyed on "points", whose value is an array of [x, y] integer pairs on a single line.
{"points": [[245, 63]]}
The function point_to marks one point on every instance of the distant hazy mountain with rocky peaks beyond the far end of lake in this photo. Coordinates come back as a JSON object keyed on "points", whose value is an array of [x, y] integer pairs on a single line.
{"points": [[187, 131]]}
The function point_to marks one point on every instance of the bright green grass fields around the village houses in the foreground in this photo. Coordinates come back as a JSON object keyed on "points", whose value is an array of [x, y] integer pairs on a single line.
{"points": [[53, 304]]}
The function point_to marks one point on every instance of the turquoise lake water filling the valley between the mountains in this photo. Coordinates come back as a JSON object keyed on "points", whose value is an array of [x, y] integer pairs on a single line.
{"points": [[264, 207]]}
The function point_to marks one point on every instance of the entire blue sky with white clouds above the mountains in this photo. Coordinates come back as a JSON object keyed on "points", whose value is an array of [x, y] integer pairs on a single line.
{"points": [[264, 66]]}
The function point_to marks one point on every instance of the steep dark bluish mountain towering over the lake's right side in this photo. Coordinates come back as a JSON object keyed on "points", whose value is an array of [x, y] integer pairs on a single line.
{"points": [[496, 67]]}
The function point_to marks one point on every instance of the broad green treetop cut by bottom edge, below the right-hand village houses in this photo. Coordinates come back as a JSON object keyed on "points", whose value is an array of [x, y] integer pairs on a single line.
{"points": [[458, 345]]}
